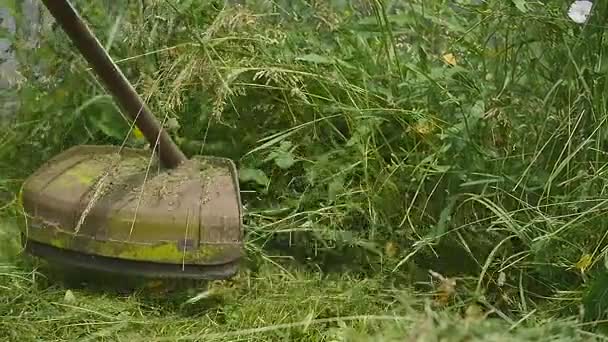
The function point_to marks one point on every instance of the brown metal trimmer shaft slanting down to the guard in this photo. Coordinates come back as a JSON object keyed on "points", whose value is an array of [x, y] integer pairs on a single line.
{"points": [[116, 83]]}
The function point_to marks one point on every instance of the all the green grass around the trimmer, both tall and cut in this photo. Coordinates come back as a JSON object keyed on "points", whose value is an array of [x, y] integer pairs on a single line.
{"points": [[423, 170]]}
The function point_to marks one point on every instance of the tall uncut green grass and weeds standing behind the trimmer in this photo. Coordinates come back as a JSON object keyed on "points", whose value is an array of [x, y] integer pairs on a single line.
{"points": [[385, 139]]}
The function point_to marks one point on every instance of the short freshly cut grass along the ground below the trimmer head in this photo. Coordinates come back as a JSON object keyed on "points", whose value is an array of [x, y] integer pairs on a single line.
{"points": [[269, 304]]}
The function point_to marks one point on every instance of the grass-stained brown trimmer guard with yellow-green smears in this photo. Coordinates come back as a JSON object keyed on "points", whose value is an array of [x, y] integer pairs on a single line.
{"points": [[91, 209]]}
